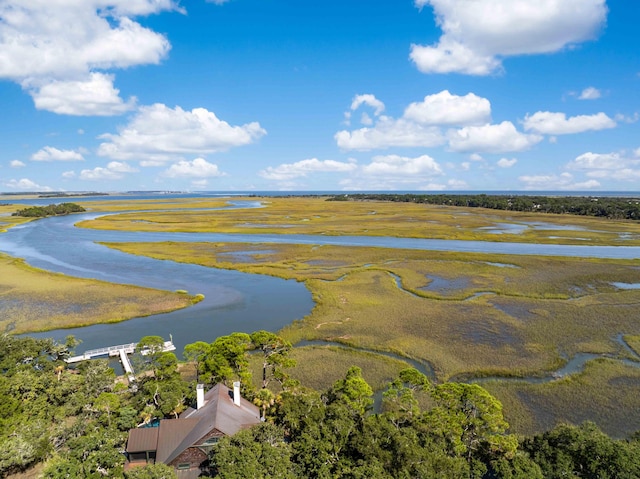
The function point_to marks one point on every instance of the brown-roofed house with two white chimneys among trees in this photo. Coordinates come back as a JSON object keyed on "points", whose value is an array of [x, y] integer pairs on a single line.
{"points": [[185, 443]]}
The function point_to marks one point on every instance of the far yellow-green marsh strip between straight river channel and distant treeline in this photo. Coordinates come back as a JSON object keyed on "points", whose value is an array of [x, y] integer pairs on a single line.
{"points": [[307, 215]]}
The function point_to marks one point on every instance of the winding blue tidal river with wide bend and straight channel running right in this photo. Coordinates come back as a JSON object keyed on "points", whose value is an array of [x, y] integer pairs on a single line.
{"points": [[233, 301]]}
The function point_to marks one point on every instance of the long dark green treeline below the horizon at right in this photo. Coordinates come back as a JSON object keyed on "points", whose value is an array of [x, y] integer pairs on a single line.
{"points": [[604, 207]]}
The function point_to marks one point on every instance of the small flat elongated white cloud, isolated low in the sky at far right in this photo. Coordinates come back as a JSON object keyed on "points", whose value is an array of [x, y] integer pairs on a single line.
{"points": [[552, 123]]}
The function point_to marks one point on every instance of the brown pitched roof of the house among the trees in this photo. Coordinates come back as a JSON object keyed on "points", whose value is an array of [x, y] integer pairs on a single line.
{"points": [[174, 436]]}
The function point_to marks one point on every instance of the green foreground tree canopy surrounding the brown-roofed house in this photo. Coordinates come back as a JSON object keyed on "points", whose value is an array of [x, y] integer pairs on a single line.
{"points": [[75, 421]]}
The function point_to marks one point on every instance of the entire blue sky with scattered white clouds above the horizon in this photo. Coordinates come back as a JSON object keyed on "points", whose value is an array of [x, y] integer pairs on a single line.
{"points": [[254, 95]]}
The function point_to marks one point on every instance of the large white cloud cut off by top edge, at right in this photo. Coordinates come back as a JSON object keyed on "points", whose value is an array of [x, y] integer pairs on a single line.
{"points": [[478, 34]]}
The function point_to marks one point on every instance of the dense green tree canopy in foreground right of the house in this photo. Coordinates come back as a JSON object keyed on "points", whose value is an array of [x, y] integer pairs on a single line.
{"points": [[450, 430]]}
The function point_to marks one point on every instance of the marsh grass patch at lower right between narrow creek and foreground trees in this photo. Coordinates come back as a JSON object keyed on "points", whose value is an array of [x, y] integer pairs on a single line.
{"points": [[606, 392]]}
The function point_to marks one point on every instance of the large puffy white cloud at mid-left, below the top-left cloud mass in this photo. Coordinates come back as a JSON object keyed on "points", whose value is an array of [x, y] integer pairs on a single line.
{"points": [[160, 133]]}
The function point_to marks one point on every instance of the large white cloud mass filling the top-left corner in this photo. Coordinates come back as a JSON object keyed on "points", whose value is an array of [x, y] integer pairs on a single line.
{"points": [[48, 46]]}
